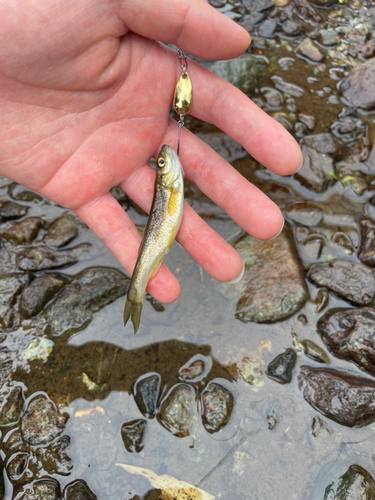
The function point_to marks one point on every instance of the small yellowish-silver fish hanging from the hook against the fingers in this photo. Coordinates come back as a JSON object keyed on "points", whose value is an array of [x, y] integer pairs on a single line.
{"points": [[161, 230]]}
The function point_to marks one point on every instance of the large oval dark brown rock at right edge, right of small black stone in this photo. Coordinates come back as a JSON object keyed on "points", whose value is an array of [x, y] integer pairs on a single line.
{"points": [[347, 399]]}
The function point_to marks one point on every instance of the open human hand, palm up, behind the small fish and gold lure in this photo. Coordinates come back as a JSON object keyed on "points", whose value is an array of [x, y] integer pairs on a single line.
{"points": [[85, 94]]}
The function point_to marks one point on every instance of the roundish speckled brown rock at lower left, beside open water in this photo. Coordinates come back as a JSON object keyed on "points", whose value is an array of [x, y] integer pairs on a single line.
{"points": [[41, 422]]}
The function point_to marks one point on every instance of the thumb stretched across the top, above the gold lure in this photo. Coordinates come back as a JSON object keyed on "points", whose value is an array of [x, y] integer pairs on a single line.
{"points": [[192, 25]]}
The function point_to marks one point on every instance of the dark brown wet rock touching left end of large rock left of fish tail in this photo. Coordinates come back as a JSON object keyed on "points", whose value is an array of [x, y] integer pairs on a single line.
{"points": [[40, 291]]}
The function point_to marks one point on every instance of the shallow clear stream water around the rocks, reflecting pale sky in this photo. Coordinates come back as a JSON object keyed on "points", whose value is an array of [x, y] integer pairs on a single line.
{"points": [[275, 445]]}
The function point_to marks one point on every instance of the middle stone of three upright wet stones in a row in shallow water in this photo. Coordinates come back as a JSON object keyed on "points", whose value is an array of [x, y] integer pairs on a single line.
{"points": [[177, 410]]}
